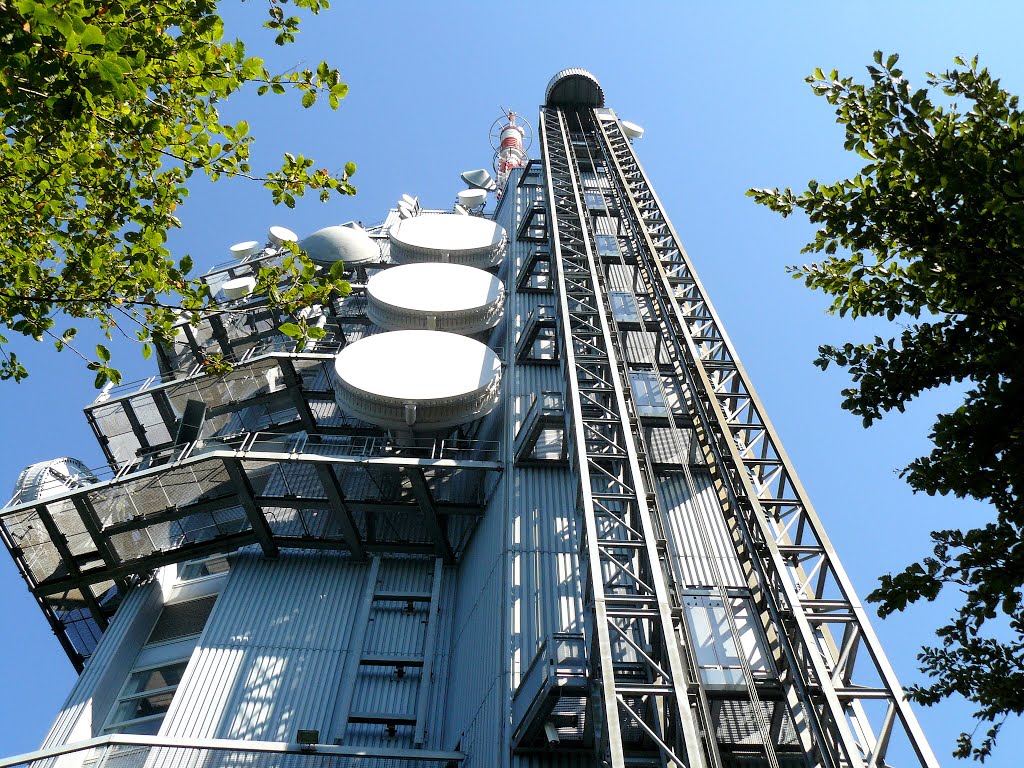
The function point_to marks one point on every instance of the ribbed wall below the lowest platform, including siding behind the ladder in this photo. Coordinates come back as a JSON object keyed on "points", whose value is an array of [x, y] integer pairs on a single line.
{"points": [[272, 659]]}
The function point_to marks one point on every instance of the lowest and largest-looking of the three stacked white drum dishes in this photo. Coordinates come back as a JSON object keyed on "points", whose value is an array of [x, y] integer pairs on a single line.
{"points": [[419, 379]]}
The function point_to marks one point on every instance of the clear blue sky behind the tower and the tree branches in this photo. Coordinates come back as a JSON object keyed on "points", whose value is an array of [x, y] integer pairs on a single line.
{"points": [[719, 89]]}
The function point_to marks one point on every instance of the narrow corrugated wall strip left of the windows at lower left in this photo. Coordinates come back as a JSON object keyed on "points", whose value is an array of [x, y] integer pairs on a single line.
{"points": [[84, 711]]}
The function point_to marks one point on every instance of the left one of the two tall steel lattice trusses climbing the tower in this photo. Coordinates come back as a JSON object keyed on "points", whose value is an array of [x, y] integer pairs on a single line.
{"points": [[648, 719]]}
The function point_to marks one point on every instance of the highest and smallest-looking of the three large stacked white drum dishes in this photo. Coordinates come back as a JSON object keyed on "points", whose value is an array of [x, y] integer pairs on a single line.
{"points": [[448, 237]]}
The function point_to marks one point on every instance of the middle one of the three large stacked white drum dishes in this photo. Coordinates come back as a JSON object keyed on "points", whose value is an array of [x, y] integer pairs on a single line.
{"points": [[461, 300]]}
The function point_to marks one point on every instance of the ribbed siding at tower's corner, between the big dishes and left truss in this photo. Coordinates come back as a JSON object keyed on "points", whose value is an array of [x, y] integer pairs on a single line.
{"points": [[520, 579]]}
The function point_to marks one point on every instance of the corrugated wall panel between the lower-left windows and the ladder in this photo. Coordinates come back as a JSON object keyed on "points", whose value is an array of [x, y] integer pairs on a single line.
{"points": [[270, 660]]}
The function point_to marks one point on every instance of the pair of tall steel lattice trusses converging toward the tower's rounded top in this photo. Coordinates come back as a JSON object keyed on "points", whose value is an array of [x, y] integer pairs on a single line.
{"points": [[839, 687]]}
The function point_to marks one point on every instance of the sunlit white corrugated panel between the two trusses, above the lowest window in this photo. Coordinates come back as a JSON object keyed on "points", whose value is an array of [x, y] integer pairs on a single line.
{"points": [[700, 539]]}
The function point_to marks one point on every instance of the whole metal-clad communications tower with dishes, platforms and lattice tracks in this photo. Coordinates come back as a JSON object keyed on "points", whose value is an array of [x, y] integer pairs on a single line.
{"points": [[518, 504]]}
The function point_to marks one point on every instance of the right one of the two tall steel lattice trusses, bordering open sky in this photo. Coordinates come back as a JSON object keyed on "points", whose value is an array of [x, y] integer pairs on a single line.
{"points": [[840, 688]]}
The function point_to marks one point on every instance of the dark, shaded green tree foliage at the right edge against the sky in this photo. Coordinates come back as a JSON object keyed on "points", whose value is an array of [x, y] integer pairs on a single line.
{"points": [[930, 236]]}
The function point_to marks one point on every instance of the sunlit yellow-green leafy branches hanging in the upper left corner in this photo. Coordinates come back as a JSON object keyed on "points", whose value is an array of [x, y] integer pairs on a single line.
{"points": [[109, 108]]}
